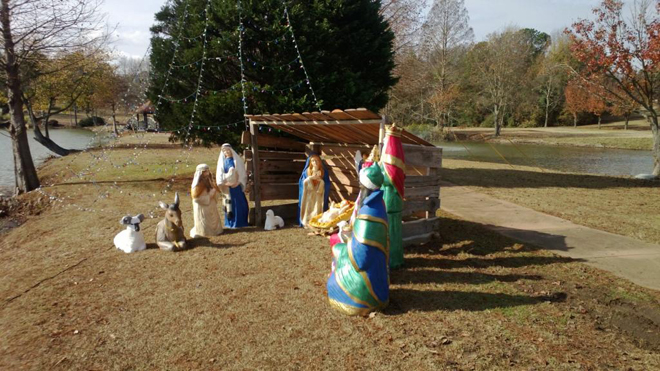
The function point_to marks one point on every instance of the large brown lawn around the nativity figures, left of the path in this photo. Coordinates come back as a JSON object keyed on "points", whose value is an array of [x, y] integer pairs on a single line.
{"points": [[250, 299]]}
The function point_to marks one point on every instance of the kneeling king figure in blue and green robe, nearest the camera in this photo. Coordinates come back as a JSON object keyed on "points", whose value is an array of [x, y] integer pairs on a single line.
{"points": [[359, 282]]}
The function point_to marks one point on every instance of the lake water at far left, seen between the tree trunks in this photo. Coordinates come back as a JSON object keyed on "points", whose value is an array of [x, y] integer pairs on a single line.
{"points": [[67, 138]]}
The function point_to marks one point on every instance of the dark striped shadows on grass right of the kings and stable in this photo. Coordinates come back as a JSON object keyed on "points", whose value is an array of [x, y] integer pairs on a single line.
{"points": [[466, 245]]}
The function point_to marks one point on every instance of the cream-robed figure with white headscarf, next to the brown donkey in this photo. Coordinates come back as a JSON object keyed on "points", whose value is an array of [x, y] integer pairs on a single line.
{"points": [[205, 206]]}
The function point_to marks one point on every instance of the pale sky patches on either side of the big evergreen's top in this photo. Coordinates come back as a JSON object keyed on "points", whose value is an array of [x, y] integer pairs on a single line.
{"points": [[132, 18]]}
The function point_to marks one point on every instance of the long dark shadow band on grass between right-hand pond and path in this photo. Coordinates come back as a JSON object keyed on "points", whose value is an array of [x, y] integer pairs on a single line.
{"points": [[511, 178]]}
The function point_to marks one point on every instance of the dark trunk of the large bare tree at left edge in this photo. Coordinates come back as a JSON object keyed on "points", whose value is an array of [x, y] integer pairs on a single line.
{"points": [[24, 170]]}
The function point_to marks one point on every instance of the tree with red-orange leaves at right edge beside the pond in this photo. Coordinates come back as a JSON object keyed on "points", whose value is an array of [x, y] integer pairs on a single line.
{"points": [[622, 57]]}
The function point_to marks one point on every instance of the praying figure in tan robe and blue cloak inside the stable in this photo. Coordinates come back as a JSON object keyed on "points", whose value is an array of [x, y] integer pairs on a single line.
{"points": [[314, 187]]}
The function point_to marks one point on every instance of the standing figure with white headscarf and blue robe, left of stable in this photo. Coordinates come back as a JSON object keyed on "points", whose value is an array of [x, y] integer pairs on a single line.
{"points": [[232, 178]]}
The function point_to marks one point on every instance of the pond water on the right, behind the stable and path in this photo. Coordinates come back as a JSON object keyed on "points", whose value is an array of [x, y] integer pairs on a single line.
{"points": [[617, 162]]}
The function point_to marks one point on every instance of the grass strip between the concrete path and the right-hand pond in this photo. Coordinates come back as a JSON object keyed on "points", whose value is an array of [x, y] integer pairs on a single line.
{"points": [[623, 206]]}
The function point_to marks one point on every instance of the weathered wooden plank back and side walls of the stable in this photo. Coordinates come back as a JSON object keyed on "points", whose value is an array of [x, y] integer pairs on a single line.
{"points": [[281, 161]]}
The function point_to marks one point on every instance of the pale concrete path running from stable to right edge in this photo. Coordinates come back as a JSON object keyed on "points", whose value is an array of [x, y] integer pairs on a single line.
{"points": [[626, 257]]}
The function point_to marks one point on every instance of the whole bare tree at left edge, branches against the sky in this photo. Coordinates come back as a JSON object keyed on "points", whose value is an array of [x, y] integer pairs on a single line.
{"points": [[31, 29]]}
